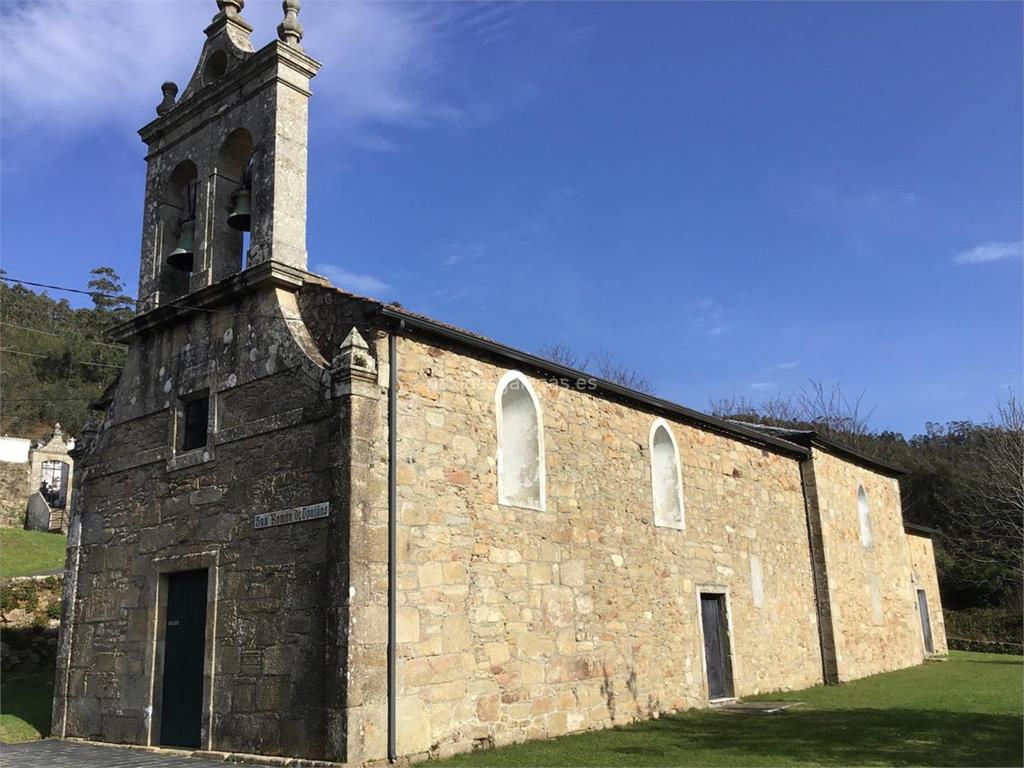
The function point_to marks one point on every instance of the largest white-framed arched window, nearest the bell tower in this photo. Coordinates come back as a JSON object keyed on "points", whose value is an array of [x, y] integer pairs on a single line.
{"points": [[521, 444]]}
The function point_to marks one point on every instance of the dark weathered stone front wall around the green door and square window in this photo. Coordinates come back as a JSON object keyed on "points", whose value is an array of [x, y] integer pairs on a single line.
{"points": [[149, 510]]}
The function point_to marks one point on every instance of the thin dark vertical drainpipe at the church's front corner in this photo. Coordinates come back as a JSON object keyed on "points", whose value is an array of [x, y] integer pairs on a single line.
{"points": [[393, 546]]}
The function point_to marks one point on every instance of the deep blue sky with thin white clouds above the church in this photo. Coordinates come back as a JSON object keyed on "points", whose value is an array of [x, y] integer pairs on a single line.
{"points": [[732, 199]]}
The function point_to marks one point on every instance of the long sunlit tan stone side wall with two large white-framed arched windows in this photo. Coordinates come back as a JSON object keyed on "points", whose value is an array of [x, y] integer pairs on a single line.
{"points": [[516, 624]]}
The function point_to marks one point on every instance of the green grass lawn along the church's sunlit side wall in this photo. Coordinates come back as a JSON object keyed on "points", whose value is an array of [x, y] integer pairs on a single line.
{"points": [[965, 712]]}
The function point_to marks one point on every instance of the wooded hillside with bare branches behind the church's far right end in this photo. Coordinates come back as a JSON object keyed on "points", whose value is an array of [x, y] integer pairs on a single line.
{"points": [[966, 480]]}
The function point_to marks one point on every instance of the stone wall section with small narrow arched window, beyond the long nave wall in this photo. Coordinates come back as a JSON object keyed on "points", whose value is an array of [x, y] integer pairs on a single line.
{"points": [[867, 644]]}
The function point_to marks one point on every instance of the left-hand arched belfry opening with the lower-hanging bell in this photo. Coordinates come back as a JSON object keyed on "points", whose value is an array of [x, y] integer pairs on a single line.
{"points": [[177, 239]]}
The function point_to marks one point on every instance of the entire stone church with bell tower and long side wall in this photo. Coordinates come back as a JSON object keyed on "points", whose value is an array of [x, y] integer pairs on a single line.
{"points": [[313, 525]]}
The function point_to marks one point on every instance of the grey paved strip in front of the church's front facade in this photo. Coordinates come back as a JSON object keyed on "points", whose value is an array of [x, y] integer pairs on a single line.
{"points": [[55, 754]]}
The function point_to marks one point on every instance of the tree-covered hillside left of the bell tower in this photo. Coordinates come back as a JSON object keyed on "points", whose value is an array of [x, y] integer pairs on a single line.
{"points": [[56, 360]]}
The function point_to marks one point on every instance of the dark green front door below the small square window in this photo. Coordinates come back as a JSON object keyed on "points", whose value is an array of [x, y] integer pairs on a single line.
{"points": [[185, 657]]}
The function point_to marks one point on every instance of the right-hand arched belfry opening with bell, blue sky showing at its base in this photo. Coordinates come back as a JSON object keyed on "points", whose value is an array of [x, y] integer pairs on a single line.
{"points": [[233, 204]]}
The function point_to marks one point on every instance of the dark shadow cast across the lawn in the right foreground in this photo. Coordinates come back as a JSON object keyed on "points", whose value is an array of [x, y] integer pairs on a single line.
{"points": [[838, 738]]}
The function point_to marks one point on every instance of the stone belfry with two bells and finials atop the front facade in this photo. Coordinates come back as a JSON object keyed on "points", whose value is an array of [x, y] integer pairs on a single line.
{"points": [[226, 159]]}
